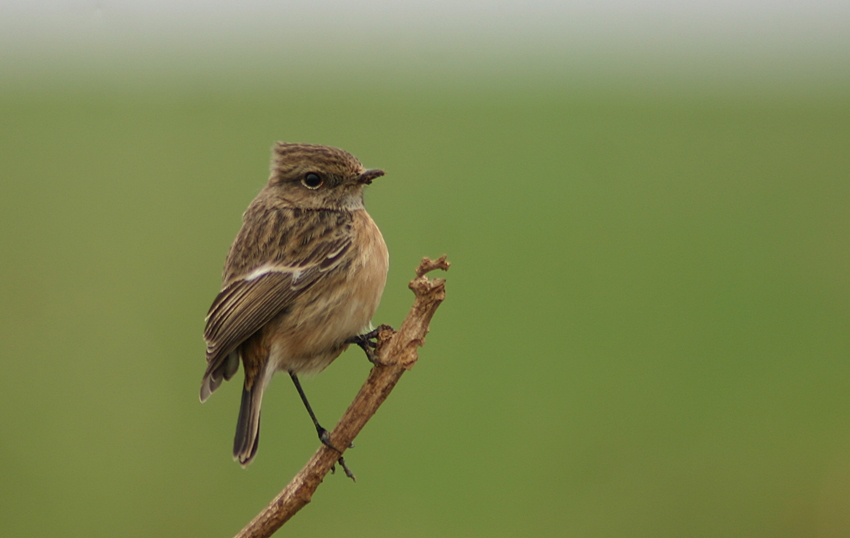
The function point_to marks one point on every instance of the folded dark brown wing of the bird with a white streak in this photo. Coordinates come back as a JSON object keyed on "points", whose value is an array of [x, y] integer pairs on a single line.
{"points": [[251, 300]]}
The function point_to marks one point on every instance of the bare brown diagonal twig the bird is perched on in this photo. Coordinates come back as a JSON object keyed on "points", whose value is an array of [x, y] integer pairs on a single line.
{"points": [[396, 353]]}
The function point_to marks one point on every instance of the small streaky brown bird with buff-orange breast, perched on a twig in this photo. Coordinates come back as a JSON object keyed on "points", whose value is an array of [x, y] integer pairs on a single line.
{"points": [[302, 281]]}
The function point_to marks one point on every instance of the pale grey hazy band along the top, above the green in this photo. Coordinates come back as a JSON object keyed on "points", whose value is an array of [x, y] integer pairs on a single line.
{"points": [[795, 31]]}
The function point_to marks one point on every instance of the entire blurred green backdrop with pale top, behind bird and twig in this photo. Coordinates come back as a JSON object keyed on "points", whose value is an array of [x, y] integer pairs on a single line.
{"points": [[647, 208]]}
